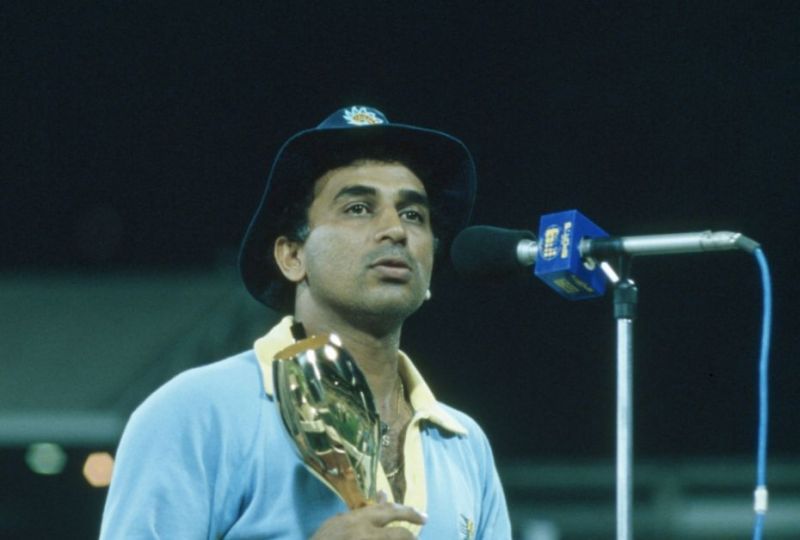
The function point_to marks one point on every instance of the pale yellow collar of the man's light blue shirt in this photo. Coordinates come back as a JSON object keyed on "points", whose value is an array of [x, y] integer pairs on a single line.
{"points": [[422, 399]]}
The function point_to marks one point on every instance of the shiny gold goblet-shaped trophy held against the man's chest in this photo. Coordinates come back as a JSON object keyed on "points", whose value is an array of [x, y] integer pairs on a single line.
{"points": [[328, 410]]}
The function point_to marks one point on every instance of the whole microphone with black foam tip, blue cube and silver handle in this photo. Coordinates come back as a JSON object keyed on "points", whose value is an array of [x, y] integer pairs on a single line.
{"points": [[569, 248]]}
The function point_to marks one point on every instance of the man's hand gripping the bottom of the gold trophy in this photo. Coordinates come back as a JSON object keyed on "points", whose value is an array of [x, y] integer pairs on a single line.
{"points": [[369, 523]]}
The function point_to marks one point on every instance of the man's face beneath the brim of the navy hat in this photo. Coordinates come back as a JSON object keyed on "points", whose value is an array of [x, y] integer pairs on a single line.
{"points": [[370, 249]]}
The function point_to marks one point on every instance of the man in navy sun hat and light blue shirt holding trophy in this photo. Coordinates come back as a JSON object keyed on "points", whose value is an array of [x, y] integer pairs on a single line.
{"points": [[344, 241]]}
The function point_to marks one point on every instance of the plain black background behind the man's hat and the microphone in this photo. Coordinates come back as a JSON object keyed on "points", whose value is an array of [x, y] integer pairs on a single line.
{"points": [[138, 136]]}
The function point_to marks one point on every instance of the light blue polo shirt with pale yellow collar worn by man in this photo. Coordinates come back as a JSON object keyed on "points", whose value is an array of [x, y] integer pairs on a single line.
{"points": [[207, 456]]}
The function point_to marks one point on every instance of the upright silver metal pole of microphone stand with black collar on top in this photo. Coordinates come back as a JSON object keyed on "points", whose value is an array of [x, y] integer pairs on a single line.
{"points": [[625, 300]]}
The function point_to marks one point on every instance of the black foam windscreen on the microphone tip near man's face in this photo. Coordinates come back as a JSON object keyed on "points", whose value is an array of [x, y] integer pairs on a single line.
{"points": [[483, 252]]}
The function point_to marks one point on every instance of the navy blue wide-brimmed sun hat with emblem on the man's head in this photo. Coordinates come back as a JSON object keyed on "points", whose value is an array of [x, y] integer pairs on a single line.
{"points": [[441, 161]]}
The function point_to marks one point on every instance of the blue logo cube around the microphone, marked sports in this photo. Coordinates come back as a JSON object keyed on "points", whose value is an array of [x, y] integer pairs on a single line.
{"points": [[558, 259]]}
